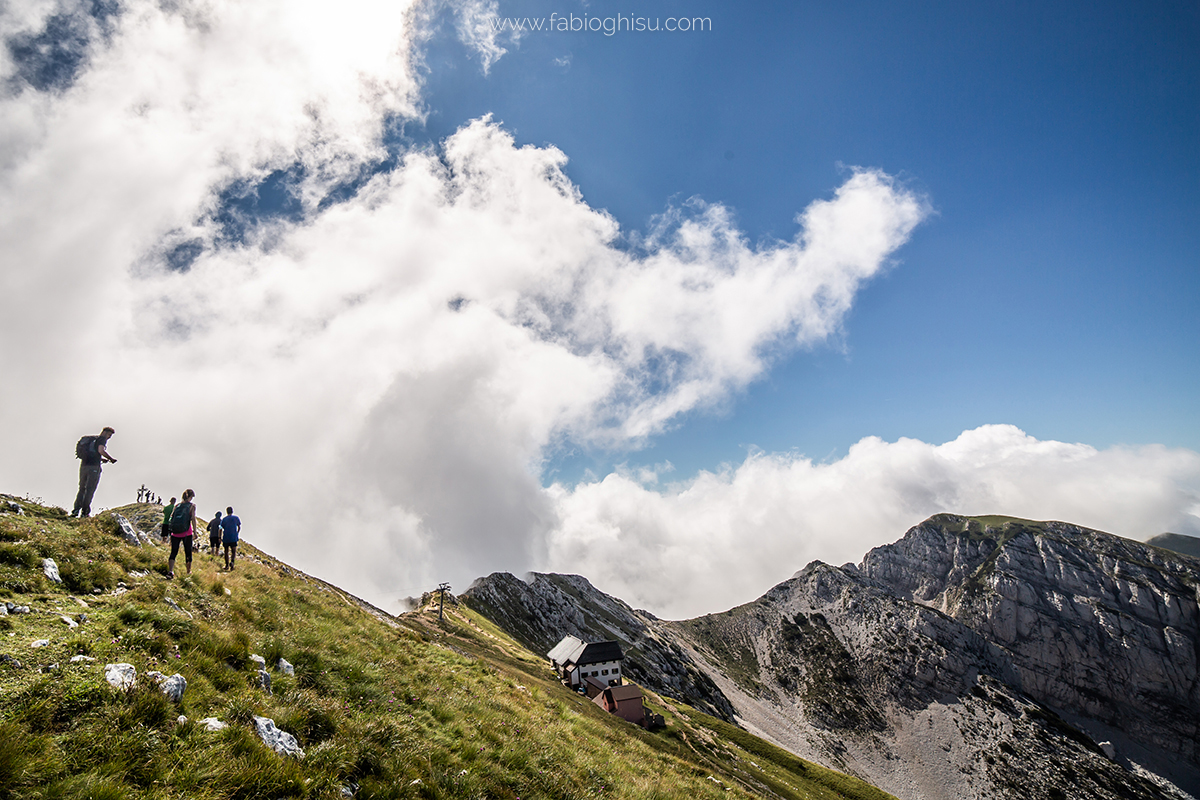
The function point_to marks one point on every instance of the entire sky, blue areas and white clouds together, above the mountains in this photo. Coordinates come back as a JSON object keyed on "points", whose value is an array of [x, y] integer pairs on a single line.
{"points": [[719, 303]]}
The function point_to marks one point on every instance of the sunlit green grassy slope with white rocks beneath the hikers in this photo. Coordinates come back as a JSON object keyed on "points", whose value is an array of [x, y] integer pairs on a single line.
{"points": [[404, 707]]}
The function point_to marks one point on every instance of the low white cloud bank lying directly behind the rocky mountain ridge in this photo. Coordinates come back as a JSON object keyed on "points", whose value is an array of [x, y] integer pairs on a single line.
{"points": [[722, 539]]}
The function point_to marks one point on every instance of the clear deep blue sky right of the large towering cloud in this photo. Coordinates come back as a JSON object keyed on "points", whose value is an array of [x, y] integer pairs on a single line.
{"points": [[1054, 290]]}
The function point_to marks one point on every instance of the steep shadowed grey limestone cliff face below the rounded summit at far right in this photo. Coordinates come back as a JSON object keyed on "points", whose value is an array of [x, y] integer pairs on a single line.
{"points": [[1102, 629]]}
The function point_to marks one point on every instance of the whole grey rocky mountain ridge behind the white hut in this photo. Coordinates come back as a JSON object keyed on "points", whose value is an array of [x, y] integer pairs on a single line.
{"points": [[975, 658]]}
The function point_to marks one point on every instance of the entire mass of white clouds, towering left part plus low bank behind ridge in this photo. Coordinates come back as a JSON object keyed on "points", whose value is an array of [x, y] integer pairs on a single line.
{"points": [[212, 245]]}
